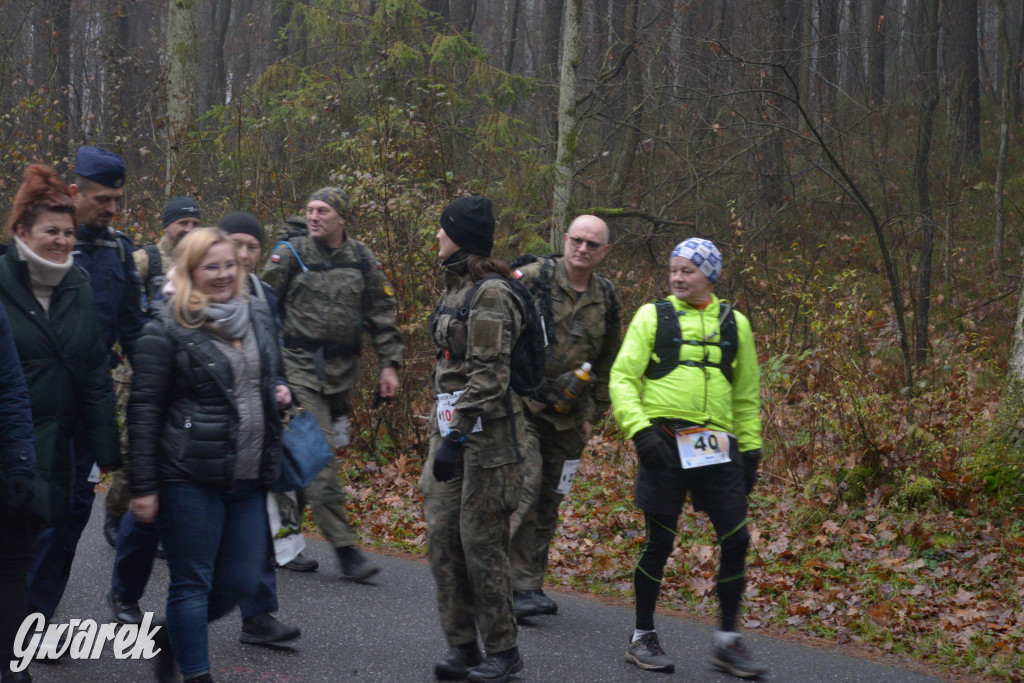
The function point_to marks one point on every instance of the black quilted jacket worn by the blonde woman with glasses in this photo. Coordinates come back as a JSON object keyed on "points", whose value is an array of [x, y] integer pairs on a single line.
{"points": [[183, 416]]}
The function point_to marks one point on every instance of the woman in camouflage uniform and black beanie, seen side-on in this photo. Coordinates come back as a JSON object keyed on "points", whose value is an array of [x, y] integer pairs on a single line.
{"points": [[472, 479]]}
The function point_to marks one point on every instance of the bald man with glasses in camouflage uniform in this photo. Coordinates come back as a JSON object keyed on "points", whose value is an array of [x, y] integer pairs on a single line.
{"points": [[583, 324]]}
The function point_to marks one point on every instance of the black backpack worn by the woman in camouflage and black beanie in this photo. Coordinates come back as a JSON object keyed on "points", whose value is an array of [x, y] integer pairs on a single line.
{"points": [[530, 352]]}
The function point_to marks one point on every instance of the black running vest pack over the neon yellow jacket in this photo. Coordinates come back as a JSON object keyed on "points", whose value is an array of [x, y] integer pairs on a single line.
{"points": [[668, 341]]}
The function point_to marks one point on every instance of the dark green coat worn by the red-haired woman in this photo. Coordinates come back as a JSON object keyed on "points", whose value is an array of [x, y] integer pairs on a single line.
{"points": [[68, 372]]}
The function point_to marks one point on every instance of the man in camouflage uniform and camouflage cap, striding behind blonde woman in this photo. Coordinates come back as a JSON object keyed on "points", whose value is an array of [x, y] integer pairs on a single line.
{"points": [[331, 289]]}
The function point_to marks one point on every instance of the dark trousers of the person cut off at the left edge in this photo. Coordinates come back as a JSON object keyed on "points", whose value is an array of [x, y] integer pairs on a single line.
{"points": [[16, 554]]}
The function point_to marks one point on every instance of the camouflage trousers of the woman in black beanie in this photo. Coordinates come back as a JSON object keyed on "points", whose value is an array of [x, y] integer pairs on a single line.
{"points": [[468, 530]]}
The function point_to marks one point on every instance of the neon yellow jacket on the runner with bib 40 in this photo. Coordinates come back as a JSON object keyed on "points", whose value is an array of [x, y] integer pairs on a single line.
{"points": [[699, 395]]}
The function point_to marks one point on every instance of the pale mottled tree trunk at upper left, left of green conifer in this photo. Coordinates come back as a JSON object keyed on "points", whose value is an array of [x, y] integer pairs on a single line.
{"points": [[183, 75]]}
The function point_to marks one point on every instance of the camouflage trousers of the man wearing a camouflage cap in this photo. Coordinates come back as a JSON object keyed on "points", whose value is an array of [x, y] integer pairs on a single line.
{"points": [[325, 495]]}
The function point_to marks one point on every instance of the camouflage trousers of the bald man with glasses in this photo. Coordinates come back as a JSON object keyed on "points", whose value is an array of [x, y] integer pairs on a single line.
{"points": [[536, 519]]}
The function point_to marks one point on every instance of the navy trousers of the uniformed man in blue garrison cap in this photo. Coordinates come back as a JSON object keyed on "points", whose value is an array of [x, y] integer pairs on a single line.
{"points": [[56, 546]]}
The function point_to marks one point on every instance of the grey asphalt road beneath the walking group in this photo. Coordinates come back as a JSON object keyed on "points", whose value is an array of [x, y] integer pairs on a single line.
{"points": [[389, 631]]}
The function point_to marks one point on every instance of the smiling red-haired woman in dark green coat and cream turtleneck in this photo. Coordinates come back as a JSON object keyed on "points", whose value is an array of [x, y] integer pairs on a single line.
{"points": [[59, 343]]}
